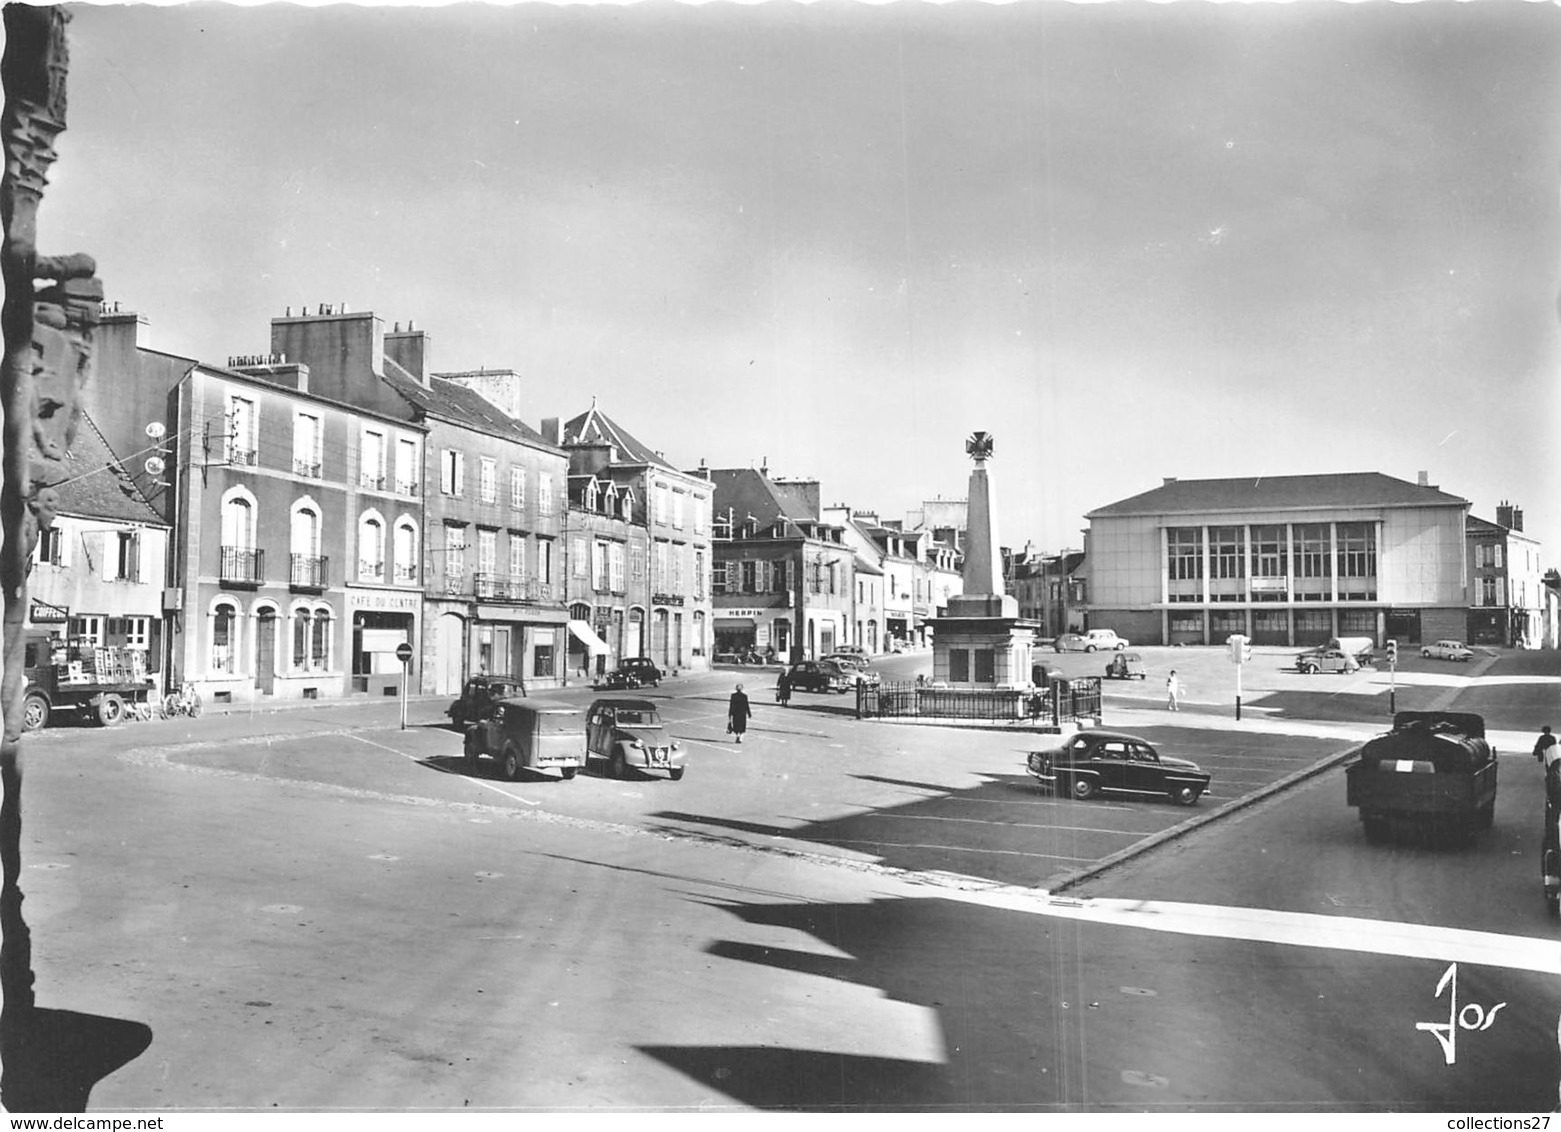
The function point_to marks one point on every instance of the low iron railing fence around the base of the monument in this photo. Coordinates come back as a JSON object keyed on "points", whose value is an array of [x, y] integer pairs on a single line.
{"points": [[1058, 703]]}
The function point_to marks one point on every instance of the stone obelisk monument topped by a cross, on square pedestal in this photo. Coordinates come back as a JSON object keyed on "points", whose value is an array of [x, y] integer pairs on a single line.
{"points": [[983, 643]]}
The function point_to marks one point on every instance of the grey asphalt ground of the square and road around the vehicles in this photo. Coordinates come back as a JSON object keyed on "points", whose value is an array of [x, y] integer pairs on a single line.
{"points": [[316, 910]]}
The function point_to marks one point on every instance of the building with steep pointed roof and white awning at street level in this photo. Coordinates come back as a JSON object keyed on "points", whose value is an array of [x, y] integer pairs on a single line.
{"points": [[638, 549]]}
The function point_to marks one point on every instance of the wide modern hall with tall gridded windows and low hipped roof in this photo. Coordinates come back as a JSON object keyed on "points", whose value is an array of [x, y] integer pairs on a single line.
{"points": [[1281, 560]]}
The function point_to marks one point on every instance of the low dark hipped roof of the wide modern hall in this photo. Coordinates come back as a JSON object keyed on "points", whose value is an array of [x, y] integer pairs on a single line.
{"points": [[1340, 489]]}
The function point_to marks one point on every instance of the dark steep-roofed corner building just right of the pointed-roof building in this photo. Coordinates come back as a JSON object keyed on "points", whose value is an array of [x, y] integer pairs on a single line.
{"points": [[783, 574]]}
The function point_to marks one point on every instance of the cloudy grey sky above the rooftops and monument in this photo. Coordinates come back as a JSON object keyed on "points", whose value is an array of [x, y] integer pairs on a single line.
{"points": [[1131, 241]]}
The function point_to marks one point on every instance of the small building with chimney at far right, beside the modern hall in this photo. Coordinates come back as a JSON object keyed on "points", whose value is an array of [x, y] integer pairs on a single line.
{"points": [[1507, 594]]}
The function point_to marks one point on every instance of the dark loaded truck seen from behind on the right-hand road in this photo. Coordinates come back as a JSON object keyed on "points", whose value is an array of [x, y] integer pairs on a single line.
{"points": [[1434, 771]]}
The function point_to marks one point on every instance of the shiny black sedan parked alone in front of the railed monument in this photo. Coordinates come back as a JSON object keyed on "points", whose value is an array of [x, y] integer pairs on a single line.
{"points": [[1095, 761]]}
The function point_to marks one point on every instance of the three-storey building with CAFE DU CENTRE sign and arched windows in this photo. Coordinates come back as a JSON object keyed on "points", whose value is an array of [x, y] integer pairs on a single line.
{"points": [[279, 539]]}
